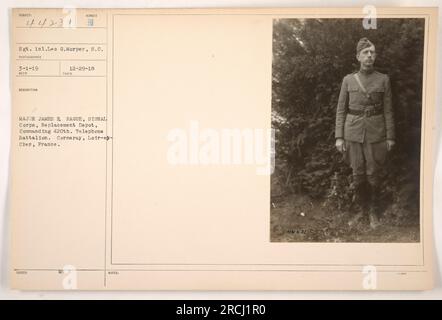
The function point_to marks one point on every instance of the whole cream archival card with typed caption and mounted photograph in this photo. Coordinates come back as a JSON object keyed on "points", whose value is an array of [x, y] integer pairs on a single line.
{"points": [[222, 149]]}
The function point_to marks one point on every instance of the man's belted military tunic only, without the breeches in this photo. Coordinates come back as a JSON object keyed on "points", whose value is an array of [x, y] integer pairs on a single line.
{"points": [[360, 128]]}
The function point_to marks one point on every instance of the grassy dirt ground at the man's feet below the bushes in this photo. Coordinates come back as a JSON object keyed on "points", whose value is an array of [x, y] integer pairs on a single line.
{"points": [[297, 218]]}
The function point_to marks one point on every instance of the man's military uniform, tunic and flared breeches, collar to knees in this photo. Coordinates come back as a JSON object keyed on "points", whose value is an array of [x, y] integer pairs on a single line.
{"points": [[365, 122]]}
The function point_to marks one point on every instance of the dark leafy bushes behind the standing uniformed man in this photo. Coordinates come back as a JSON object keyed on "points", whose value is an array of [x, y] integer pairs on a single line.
{"points": [[310, 59]]}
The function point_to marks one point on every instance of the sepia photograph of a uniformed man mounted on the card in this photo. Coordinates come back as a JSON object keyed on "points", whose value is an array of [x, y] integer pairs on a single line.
{"points": [[346, 110]]}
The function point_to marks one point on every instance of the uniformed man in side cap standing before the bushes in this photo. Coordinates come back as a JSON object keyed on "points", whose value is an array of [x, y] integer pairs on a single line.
{"points": [[365, 128]]}
